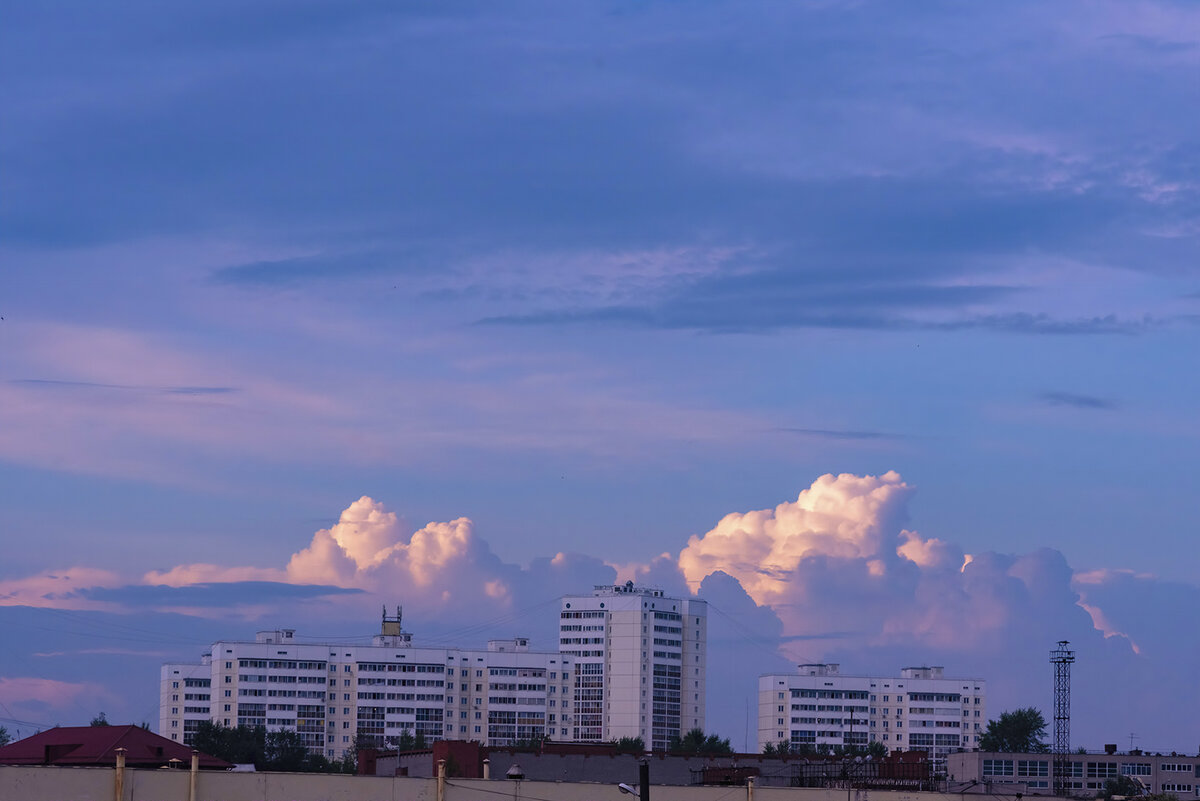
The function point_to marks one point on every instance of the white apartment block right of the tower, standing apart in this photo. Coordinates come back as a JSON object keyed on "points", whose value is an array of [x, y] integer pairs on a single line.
{"points": [[919, 710]]}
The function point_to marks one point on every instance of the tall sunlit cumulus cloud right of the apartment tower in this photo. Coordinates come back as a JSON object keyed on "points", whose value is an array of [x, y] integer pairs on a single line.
{"points": [[839, 563]]}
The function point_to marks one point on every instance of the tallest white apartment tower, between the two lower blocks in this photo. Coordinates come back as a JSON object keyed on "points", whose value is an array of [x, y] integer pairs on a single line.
{"points": [[639, 660]]}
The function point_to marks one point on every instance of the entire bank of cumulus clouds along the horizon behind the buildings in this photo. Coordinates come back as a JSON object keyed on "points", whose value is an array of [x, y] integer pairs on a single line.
{"points": [[833, 575]]}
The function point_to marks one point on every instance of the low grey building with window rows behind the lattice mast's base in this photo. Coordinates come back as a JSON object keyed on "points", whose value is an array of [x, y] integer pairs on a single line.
{"points": [[1009, 774]]}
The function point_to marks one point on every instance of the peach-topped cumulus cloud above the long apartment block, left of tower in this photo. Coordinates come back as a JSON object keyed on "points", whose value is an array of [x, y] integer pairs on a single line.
{"points": [[443, 574]]}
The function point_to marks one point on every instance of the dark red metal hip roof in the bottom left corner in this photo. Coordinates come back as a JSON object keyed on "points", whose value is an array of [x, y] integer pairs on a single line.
{"points": [[97, 745]]}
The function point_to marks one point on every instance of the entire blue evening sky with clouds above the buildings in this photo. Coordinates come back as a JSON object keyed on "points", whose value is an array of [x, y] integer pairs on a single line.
{"points": [[873, 324]]}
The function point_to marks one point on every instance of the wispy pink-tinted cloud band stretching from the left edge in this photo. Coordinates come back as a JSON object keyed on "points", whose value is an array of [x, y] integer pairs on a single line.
{"points": [[125, 402]]}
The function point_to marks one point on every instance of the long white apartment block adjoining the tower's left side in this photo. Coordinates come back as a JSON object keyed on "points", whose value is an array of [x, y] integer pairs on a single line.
{"points": [[332, 692]]}
